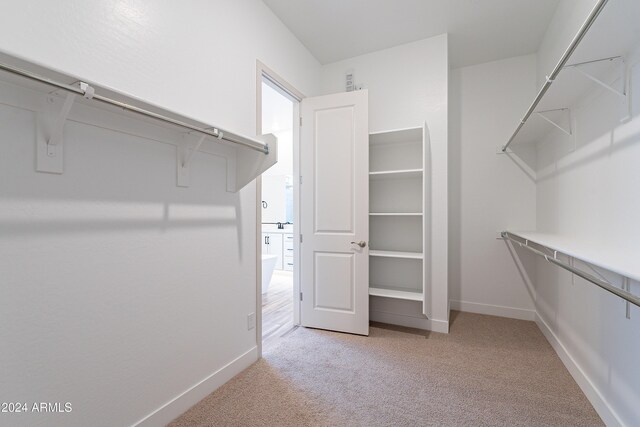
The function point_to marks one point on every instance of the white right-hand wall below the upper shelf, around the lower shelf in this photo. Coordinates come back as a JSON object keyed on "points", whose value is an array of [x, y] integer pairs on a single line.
{"points": [[590, 195]]}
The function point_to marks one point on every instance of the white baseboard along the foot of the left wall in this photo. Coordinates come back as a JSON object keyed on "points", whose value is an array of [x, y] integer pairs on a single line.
{"points": [[179, 404]]}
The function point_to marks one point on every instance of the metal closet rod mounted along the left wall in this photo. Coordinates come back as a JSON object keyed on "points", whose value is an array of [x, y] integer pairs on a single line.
{"points": [[213, 131]]}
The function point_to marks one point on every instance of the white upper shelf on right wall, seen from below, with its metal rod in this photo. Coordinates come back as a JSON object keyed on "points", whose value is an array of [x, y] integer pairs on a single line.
{"points": [[594, 59]]}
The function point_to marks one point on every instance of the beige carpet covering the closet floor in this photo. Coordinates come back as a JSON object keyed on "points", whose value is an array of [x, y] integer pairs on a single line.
{"points": [[488, 371]]}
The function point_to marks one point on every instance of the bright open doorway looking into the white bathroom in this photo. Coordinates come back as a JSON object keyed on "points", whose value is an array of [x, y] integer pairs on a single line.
{"points": [[278, 195]]}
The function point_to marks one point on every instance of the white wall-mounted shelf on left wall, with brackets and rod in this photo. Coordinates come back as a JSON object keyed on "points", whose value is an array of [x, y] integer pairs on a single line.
{"points": [[57, 97]]}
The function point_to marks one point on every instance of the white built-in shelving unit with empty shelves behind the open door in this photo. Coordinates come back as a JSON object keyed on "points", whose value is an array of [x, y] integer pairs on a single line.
{"points": [[396, 219]]}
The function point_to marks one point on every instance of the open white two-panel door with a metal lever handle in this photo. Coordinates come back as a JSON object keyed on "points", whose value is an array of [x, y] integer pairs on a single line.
{"points": [[334, 219]]}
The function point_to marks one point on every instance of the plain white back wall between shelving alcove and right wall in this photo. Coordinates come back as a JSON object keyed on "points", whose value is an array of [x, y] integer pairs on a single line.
{"points": [[489, 192]]}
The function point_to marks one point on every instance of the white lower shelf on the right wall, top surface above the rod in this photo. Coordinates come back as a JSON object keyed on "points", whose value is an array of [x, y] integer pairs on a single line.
{"points": [[620, 260]]}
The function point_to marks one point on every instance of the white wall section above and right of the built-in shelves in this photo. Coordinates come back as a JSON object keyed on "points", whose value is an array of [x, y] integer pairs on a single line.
{"points": [[407, 85]]}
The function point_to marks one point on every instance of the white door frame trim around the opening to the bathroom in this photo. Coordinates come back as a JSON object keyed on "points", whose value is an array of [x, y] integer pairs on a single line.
{"points": [[262, 71]]}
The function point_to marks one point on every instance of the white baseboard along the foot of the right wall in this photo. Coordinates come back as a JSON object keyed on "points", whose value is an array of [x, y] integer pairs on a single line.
{"points": [[596, 398]]}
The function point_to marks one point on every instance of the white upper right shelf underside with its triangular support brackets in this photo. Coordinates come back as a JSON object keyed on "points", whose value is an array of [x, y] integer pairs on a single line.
{"points": [[613, 34]]}
